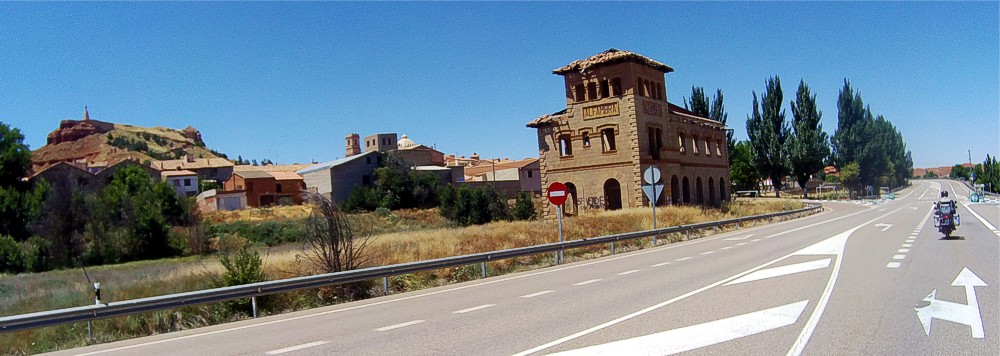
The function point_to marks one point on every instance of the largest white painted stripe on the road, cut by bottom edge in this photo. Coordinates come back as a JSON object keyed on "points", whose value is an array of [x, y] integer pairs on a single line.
{"points": [[701, 335]]}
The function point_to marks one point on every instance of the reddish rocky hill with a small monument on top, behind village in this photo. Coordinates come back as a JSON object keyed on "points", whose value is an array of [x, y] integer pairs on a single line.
{"points": [[97, 143]]}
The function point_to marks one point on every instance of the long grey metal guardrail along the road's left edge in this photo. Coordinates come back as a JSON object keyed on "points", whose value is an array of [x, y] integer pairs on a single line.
{"points": [[134, 306]]}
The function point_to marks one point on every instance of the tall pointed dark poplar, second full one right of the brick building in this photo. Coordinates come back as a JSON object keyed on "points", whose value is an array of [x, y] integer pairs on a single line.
{"points": [[808, 145]]}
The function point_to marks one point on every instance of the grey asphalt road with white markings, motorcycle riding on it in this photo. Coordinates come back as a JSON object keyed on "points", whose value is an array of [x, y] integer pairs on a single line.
{"points": [[855, 279]]}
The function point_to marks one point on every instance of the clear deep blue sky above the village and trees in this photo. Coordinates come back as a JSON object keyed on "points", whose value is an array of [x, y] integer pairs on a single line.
{"points": [[287, 81]]}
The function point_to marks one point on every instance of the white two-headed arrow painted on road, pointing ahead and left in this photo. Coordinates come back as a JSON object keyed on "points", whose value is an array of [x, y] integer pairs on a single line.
{"points": [[967, 314]]}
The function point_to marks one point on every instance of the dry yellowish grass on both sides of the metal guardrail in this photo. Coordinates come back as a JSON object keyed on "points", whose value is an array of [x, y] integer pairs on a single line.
{"points": [[402, 236]]}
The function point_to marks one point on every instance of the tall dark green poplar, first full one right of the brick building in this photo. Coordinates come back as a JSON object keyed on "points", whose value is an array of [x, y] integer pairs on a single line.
{"points": [[768, 132]]}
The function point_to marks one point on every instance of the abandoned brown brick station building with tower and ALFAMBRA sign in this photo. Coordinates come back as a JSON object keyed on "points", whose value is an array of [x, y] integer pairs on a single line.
{"points": [[617, 122]]}
